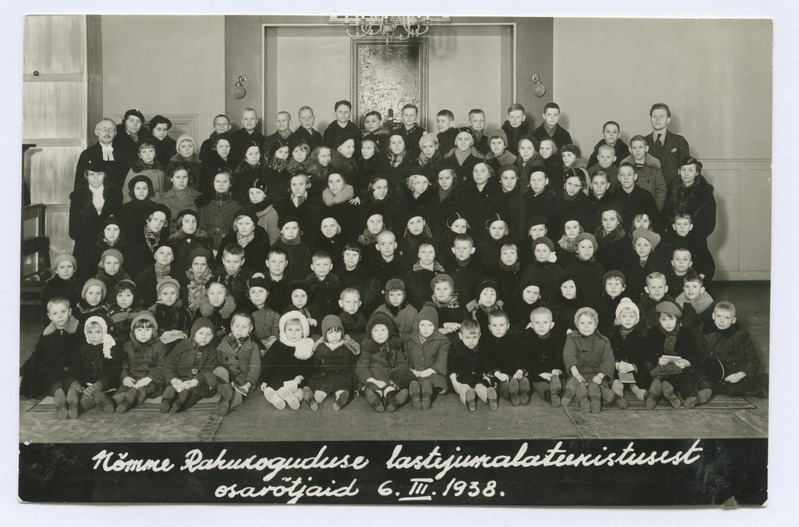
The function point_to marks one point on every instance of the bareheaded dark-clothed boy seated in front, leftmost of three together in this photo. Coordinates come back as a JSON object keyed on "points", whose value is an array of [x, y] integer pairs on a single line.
{"points": [[467, 367]]}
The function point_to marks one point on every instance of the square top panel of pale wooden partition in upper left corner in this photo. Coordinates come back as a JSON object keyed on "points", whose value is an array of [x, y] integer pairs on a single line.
{"points": [[53, 44]]}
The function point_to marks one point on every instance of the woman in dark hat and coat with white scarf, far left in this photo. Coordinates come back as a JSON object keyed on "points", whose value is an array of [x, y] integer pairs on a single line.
{"points": [[89, 209]]}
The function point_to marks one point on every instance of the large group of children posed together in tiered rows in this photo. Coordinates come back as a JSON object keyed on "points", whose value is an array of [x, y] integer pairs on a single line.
{"points": [[482, 264]]}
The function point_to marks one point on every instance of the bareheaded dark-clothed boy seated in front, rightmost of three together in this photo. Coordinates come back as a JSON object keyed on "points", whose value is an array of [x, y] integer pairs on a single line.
{"points": [[542, 359]]}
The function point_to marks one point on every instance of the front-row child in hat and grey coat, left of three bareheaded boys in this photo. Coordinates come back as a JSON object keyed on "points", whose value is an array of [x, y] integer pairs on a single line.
{"points": [[427, 351]]}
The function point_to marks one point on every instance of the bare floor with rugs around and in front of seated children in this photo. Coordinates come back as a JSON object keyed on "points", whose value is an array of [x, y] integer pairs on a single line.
{"points": [[256, 420]]}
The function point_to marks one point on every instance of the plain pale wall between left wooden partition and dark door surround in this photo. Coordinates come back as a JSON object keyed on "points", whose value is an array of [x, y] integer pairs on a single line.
{"points": [[165, 65]]}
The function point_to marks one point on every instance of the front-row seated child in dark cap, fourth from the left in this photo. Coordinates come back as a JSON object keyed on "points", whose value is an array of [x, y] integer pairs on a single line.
{"points": [[188, 368]]}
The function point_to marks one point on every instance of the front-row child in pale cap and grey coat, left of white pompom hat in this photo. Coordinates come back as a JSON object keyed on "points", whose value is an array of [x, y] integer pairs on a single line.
{"points": [[588, 357]]}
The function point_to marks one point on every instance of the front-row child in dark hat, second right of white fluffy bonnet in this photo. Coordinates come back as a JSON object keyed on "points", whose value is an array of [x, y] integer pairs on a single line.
{"points": [[382, 367]]}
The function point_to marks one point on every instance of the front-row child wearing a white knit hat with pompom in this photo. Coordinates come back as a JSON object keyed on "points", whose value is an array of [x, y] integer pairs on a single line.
{"points": [[633, 362]]}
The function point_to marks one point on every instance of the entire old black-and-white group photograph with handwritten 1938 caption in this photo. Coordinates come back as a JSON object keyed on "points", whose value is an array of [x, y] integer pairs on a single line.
{"points": [[398, 259]]}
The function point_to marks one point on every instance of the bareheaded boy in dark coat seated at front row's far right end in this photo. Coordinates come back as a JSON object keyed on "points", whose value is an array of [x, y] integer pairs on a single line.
{"points": [[730, 365]]}
